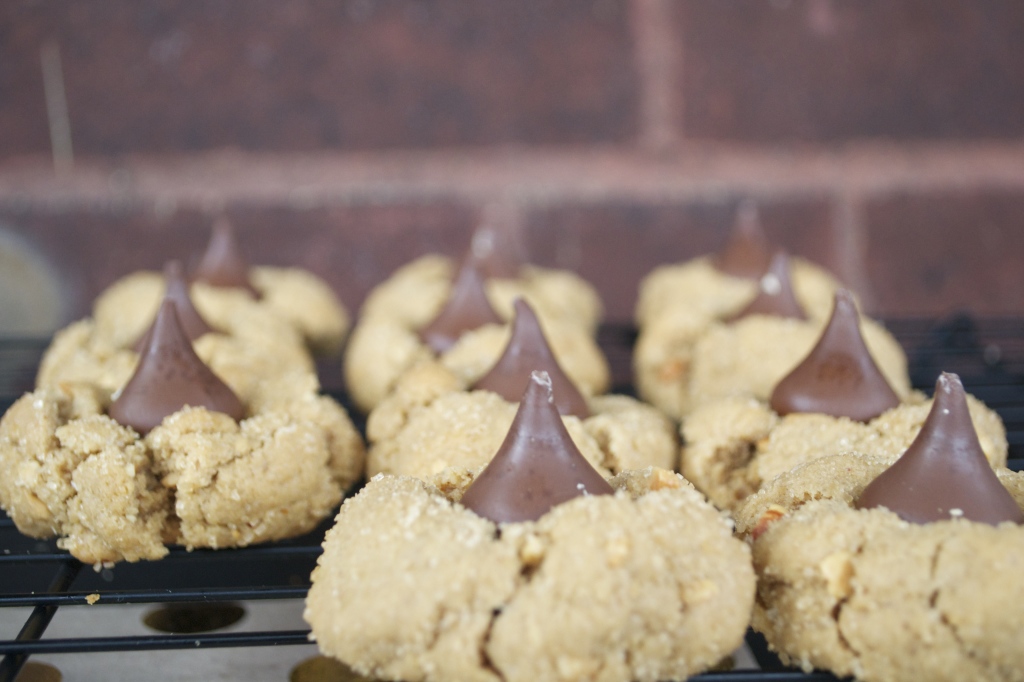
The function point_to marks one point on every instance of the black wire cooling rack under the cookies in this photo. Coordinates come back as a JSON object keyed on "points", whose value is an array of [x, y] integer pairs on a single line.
{"points": [[988, 354]]}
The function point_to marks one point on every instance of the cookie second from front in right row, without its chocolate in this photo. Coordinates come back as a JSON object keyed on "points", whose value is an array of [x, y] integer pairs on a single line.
{"points": [[735, 447]]}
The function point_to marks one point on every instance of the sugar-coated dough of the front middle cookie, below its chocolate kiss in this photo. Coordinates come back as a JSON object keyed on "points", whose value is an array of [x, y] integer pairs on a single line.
{"points": [[647, 584]]}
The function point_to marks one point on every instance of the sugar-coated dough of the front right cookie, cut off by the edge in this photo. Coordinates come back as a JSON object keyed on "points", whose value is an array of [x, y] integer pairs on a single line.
{"points": [[864, 593]]}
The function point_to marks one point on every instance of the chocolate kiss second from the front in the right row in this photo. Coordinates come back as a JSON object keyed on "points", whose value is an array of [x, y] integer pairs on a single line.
{"points": [[839, 377]]}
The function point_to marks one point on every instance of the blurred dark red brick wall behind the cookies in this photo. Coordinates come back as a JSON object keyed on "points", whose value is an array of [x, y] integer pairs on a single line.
{"points": [[884, 140]]}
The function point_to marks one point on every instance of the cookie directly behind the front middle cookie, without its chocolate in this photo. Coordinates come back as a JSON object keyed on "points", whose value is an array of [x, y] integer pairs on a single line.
{"points": [[432, 422]]}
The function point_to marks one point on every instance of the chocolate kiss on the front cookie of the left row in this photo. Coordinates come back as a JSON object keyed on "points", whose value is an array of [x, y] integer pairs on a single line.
{"points": [[170, 376]]}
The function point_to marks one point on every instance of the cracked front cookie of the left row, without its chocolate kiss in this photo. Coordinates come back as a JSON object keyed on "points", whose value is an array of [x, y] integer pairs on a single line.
{"points": [[200, 479]]}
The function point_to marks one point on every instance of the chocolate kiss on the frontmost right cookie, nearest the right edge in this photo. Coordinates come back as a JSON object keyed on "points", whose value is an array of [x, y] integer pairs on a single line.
{"points": [[944, 475]]}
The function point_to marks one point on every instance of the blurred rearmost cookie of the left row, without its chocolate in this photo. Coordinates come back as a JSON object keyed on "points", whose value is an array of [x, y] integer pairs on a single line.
{"points": [[290, 297]]}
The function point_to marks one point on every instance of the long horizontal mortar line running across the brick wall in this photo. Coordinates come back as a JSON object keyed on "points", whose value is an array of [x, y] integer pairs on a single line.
{"points": [[527, 179]]}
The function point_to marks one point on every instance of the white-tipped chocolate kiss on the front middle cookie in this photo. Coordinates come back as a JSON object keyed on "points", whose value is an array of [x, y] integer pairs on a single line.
{"points": [[538, 465]]}
